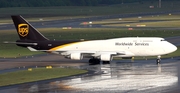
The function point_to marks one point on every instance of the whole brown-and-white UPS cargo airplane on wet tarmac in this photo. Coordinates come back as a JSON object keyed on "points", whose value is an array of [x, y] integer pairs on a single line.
{"points": [[96, 50]]}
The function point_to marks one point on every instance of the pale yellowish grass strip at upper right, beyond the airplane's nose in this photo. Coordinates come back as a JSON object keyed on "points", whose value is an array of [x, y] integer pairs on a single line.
{"points": [[165, 20]]}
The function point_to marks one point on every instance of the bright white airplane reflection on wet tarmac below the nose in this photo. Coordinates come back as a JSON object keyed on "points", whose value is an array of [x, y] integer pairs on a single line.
{"points": [[128, 77]]}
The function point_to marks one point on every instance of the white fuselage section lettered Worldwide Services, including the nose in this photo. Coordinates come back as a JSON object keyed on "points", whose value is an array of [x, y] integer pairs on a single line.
{"points": [[125, 47]]}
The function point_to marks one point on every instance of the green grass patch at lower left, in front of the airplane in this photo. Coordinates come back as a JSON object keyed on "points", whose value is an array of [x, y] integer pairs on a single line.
{"points": [[37, 74]]}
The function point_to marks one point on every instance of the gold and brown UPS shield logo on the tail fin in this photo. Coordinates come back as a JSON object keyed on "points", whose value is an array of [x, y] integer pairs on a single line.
{"points": [[23, 29]]}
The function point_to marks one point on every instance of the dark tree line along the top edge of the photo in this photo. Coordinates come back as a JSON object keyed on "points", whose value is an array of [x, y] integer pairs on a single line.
{"points": [[44, 3]]}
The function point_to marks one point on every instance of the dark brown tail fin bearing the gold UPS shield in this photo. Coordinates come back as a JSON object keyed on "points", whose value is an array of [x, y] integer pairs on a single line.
{"points": [[26, 31]]}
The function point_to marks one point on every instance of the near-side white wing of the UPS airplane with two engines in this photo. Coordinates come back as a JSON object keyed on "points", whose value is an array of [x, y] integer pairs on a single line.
{"points": [[78, 55]]}
